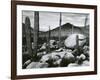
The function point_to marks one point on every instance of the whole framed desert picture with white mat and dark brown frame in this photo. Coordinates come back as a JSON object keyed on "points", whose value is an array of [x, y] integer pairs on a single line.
{"points": [[52, 40]]}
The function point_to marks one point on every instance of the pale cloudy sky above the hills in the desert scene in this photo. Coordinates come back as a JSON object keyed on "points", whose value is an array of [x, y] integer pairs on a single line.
{"points": [[51, 19]]}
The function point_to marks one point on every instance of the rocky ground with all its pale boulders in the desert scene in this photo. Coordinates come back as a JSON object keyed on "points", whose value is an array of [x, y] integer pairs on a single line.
{"points": [[66, 56]]}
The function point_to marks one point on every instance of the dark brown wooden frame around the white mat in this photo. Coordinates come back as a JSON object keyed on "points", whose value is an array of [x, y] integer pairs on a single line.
{"points": [[14, 39]]}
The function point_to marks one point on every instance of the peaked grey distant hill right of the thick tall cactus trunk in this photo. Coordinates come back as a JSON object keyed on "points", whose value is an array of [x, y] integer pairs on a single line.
{"points": [[66, 30]]}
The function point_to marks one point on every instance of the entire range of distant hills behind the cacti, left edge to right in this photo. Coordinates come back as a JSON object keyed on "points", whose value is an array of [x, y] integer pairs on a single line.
{"points": [[66, 30]]}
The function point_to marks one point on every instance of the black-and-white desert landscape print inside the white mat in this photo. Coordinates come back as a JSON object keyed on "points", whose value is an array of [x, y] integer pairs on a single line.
{"points": [[55, 39]]}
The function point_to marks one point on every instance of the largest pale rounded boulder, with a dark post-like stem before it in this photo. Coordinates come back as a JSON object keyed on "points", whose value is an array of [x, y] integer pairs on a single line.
{"points": [[70, 42]]}
